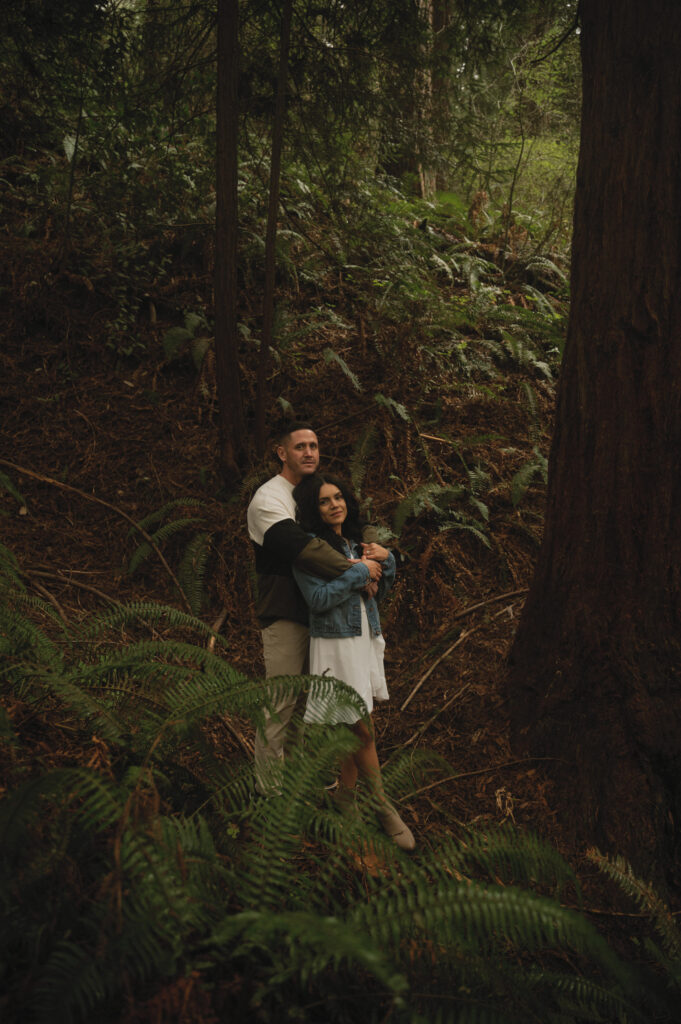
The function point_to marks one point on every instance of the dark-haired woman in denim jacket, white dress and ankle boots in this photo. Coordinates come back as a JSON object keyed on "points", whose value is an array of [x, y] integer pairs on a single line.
{"points": [[346, 634]]}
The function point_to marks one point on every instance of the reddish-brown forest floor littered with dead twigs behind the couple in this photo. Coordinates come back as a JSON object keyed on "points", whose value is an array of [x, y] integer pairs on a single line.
{"points": [[93, 447]]}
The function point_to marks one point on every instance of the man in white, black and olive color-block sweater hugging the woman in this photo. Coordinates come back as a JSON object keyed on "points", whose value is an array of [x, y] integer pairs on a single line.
{"points": [[279, 542]]}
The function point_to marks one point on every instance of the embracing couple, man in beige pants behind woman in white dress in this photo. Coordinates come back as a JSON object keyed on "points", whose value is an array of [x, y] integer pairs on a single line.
{"points": [[320, 574]]}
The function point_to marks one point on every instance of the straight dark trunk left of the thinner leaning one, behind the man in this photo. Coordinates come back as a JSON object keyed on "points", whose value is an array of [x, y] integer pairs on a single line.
{"points": [[233, 449]]}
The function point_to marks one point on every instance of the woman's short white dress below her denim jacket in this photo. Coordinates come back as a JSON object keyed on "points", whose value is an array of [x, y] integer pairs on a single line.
{"points": [[358, 662]]}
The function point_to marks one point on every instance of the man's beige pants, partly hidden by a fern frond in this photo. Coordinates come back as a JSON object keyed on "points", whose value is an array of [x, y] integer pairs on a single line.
{"points": [[286, 649]]}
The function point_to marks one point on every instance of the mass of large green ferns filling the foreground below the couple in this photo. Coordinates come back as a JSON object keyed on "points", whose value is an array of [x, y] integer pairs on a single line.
{"points": [[115, 881]]}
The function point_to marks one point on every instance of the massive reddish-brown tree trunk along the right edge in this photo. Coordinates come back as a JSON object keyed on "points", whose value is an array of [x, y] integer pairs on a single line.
{"points": [[595, 670]]}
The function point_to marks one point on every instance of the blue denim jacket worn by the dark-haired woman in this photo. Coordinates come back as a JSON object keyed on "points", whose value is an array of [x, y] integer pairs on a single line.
{"points": [[335, 609]]}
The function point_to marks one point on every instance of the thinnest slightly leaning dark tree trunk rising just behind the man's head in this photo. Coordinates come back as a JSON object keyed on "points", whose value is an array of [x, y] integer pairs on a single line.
{"points": [[273, 217]]}
